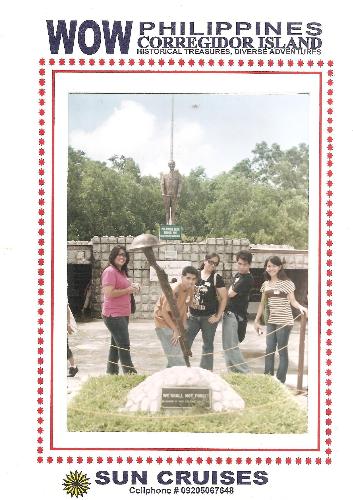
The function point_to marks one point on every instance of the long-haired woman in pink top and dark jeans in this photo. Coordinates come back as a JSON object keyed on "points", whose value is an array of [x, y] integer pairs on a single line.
{"points": [[117, 291]]}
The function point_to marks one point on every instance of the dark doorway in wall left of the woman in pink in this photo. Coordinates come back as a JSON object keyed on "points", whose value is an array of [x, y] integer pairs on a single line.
{"points": [[79, 277]]}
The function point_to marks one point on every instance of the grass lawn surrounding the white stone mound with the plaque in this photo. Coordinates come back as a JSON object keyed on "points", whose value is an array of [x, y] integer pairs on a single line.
{"points": [[270, 409]]}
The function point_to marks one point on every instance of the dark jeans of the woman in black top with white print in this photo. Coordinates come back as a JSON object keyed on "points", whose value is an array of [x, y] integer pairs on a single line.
{"points": [[208, 330]]}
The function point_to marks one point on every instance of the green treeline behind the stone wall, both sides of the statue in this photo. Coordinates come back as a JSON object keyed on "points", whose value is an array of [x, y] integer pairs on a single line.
{"points": [[263, 198]]}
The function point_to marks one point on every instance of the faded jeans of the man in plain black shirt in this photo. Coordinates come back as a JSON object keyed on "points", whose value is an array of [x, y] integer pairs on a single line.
{"points": [[230, 343]]}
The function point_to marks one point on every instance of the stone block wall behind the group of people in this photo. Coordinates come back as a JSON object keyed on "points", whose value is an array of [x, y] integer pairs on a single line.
{"points": [[96, 253]]}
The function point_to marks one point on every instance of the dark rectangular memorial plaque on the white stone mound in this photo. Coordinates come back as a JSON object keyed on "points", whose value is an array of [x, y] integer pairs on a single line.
{"points": [[186, 397]]}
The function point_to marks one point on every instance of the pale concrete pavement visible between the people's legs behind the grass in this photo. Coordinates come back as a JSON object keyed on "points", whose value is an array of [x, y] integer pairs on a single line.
{"points": [[90, 350]]}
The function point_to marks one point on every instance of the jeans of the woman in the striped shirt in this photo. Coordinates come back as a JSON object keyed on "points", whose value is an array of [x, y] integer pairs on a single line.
{"points": [[278, 339]]}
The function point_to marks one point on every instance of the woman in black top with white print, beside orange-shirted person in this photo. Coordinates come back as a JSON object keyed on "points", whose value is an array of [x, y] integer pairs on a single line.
{"points": [[209, 302]]}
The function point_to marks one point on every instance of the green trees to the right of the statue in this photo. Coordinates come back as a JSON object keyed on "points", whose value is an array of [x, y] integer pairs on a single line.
{"points": [[264, 199]]}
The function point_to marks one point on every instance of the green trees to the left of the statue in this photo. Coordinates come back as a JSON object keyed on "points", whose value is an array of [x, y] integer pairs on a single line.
{"points": [[103, 201]]}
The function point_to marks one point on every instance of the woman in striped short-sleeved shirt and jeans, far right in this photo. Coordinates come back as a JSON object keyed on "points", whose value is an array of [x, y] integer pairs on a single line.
{"points": [[279, 292]]}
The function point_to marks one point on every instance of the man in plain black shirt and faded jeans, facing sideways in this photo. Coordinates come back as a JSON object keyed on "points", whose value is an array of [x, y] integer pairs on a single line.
{"points": [[235, 316]]}
